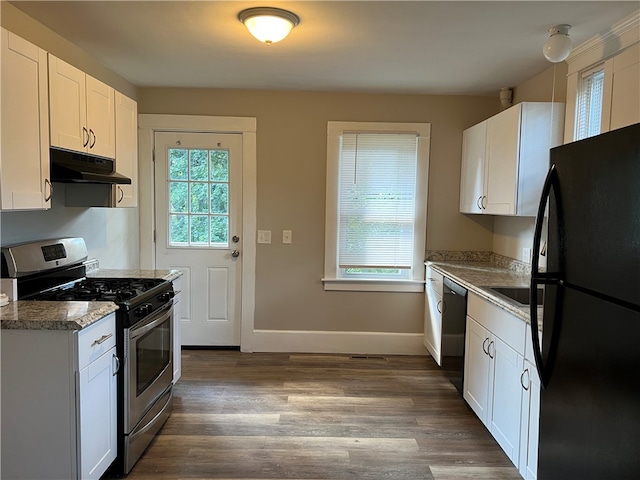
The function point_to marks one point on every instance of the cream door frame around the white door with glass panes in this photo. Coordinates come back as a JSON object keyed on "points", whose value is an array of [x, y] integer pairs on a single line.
{"points": [[148, 125]]}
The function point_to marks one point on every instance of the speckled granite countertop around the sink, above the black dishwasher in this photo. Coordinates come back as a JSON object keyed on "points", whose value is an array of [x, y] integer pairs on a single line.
{"points": [[474, 275]]}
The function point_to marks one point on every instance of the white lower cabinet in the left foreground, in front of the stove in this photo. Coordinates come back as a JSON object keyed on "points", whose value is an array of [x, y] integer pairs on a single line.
{"points": [[59, 404]]}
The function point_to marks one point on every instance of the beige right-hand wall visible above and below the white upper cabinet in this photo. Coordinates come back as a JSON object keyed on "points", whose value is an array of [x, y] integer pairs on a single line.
{"points": [[512, 234]]}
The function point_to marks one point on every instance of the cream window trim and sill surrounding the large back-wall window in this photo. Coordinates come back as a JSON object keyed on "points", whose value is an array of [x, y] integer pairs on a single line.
{"points": [[332, 279]]}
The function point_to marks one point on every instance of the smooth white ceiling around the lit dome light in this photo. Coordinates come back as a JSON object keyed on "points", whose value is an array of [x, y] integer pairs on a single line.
{"points": [[428, 47]]}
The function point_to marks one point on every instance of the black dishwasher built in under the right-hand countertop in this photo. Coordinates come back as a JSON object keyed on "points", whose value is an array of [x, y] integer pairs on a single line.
{"points": [[454, 321]]}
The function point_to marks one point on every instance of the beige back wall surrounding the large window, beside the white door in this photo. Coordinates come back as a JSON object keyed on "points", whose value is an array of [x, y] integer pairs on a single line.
{"points": [[291, 157]]}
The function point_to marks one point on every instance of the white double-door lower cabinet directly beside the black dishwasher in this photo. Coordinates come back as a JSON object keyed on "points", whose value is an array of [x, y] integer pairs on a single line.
{"points": [[494, 358]]}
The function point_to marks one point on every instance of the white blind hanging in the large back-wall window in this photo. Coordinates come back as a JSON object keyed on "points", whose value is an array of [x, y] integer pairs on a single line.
{"points": [[377, 200]]}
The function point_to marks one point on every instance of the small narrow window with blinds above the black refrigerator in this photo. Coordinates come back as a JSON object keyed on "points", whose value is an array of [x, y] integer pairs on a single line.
{"points": [[589, 104]]}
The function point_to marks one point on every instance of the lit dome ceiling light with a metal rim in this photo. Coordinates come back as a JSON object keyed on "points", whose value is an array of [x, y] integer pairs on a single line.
{"points": [[267, 24]]}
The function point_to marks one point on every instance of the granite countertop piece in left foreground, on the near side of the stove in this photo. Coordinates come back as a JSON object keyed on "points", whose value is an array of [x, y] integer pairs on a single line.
{"points": [[53, 315]]}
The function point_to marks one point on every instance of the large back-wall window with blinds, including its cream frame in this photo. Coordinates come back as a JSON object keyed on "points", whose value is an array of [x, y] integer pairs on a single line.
{"points": [[377, 180]]}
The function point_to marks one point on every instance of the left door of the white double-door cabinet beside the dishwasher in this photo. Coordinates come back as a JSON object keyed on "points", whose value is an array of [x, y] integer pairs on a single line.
{"points": [[476, 369]]}
